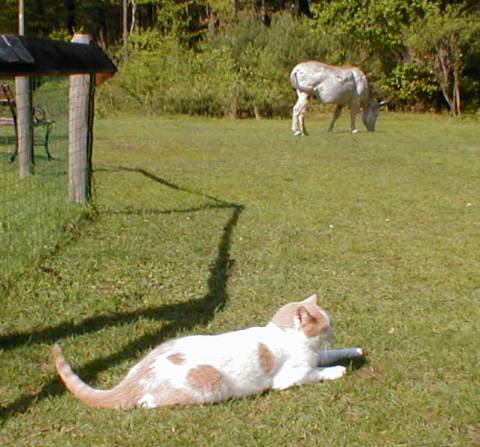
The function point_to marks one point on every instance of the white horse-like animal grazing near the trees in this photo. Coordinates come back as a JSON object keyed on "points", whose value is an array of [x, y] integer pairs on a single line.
{"points": [[343, 86]]}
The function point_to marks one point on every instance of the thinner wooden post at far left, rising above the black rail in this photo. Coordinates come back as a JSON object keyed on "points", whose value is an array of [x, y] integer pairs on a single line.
{"points": [[23, 101]]}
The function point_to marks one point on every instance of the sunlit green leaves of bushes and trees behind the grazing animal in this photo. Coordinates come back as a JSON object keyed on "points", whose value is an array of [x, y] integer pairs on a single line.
{"points": [[241, 66]]}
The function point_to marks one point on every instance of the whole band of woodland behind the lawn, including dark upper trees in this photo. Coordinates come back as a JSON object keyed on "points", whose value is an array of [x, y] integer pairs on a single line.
{"points": [[232, 57]]}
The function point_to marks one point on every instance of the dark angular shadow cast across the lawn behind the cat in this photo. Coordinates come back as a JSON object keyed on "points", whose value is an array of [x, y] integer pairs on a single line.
{"points": [[181, 316]]}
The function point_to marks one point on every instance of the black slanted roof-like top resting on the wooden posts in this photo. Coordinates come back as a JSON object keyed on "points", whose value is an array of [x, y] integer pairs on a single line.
{"points": [[21, 55]]}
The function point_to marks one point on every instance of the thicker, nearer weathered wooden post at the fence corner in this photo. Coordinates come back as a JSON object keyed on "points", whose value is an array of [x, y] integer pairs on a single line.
{"points": [[80, 131]]}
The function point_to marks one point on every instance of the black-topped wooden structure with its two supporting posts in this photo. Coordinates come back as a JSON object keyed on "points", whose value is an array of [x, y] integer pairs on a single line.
{"points": [[87, 65]]}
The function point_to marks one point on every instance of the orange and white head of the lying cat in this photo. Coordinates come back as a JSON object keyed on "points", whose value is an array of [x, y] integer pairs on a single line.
{"points": [[305, 317]]}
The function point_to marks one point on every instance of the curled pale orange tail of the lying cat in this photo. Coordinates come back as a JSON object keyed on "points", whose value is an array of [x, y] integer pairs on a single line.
{"points": [[118, 397]]}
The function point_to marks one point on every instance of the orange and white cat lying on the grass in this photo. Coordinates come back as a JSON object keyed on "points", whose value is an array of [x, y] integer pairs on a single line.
{"points": [[210, 368]]}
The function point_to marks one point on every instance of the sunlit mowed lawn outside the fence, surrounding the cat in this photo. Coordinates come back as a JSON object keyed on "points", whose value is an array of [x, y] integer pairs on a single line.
{"points": [[204, 226]]}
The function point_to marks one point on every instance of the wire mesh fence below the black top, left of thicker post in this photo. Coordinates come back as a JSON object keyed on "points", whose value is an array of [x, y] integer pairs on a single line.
{"points": [[35, 211]]}
